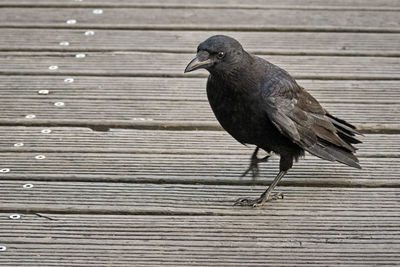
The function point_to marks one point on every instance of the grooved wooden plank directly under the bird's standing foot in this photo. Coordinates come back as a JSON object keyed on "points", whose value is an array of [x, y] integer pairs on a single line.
{"points": [[178, 199]]}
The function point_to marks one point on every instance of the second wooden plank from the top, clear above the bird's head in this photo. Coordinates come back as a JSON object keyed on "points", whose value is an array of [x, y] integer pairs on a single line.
{"points": [[203, 19]]}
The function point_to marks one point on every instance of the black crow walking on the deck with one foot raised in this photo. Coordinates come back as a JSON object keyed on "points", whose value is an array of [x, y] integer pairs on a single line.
{"points": [[259, 103]]}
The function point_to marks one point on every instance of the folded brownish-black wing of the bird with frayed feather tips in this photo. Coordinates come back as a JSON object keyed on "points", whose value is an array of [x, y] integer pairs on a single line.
{"points": [[299, 116]]}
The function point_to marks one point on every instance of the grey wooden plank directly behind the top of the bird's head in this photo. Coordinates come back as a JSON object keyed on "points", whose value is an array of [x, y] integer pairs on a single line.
{"points": [[309, 43]]}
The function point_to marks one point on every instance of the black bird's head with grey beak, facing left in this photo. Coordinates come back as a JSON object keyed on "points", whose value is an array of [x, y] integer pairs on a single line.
{"points": [[217, 53]]}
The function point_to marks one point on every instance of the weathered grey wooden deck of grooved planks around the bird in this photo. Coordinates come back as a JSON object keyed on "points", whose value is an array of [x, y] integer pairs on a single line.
{"points": [[111, 156]]}
